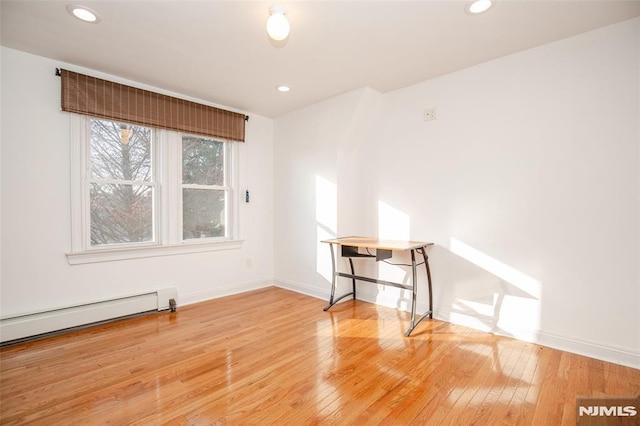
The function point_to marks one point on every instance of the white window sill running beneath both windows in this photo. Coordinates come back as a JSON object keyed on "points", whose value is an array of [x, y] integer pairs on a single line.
{"points": [[110, 255]]}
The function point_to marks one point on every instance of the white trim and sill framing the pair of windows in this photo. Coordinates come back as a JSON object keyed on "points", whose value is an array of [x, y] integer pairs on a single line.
{"points": [[168, 233]]}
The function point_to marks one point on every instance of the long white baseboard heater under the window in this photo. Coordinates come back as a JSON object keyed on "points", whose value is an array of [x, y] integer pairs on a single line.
{"points": [[23, 326]]}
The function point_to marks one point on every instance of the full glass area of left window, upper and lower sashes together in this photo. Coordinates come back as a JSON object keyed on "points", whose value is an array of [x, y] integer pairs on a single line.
{"points": [[121, 183]]}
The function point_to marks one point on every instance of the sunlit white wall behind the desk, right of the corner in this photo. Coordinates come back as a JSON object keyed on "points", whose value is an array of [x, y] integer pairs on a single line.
{"points": [[527, 181]]}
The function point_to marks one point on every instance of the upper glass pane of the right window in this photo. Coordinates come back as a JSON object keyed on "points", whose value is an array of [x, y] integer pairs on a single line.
{"points": [[202, 161]]}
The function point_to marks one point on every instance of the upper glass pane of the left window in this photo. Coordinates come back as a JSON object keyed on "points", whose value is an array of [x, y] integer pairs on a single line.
{"points": [[120, 151]]}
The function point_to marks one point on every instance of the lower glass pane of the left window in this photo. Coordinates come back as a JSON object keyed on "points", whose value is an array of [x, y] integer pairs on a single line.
{"points": [[121, 214]]}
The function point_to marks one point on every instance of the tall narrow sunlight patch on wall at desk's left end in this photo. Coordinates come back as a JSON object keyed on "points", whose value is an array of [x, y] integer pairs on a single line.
{"points": [[327, 223]]}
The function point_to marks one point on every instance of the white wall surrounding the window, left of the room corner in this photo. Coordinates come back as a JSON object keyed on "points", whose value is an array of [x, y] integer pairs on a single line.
{"points": [[36, 209]]}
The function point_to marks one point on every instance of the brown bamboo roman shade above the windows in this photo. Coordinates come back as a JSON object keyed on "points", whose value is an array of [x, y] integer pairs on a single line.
{"points": [[88, 95]]}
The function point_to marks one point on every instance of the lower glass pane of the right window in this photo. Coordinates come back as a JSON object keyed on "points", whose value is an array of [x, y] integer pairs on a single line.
{"points": [[203, 213]]}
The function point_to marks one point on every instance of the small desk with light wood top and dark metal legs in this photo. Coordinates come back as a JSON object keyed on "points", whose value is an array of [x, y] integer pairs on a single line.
{"points": [[383, 250]]}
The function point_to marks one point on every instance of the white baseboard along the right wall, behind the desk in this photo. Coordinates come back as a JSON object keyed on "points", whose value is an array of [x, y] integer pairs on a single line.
{"points": [[604, 352]]}
